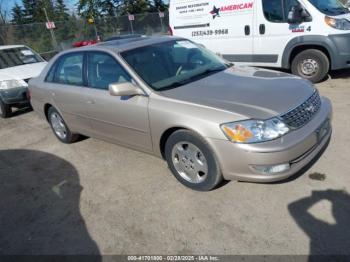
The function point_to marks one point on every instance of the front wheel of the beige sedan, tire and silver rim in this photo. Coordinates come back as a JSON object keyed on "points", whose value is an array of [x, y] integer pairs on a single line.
{"points": [[188, 152]]}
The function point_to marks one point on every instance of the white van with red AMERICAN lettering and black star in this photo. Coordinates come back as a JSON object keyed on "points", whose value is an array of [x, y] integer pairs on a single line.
{"points": [[310, 37]]}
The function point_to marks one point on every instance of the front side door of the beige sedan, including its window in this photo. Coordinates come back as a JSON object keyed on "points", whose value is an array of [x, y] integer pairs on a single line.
{"points": [[123, 120]]}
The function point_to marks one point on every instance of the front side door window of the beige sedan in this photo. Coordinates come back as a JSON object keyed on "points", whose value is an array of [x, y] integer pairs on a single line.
{"points": [[103, 70]]}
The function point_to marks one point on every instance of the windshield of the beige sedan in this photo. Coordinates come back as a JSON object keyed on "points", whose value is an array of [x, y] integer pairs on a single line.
{"points": [[172, 64]]}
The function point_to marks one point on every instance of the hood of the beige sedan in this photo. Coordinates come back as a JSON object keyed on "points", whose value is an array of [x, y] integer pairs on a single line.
{"points": [[250, 92]]}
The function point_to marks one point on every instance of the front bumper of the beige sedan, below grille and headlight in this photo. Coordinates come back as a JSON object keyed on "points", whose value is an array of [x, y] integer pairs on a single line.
{"points": [[298, 148]]}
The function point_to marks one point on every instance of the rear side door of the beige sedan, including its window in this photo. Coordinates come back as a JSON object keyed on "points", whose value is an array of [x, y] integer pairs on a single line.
{"points": [[65, 83]]}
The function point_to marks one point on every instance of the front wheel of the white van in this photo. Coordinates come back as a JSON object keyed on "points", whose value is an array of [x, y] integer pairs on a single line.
{"points": [[311, 64]]}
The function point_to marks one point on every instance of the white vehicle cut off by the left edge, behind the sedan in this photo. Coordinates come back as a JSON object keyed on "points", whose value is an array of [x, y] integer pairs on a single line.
{"points": [[18, 64]]}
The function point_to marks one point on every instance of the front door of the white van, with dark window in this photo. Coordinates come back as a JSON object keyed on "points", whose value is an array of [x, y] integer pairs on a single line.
{"points": [[273, 32]]}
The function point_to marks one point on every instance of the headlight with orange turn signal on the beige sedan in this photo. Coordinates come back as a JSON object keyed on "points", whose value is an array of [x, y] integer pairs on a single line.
{"points": [[254, 131]]}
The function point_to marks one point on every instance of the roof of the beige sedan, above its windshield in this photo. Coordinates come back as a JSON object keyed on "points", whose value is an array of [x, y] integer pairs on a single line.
{"points": [[121, 45]]}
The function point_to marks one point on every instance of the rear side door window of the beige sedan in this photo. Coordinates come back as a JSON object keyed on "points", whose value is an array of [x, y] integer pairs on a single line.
{"points": [[70, 70]]}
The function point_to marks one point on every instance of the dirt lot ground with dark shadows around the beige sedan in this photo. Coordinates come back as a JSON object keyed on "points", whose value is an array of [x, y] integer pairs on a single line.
{"points": [[95, 197]]}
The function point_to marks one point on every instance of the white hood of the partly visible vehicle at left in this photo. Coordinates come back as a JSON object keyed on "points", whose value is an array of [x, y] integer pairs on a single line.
{"points": [[22, 71]]}
